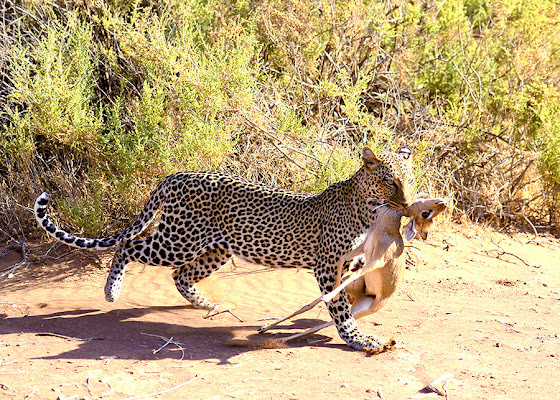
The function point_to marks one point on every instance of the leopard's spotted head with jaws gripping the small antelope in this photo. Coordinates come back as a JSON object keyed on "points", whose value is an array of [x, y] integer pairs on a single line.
{"points": [[388, 176]]}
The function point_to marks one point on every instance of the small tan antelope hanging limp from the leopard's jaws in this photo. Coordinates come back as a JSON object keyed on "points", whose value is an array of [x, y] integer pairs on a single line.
{"points": [[371, 286]]}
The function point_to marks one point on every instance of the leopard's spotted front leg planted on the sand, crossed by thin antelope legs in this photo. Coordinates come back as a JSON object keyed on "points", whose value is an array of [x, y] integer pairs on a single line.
{"points": [[325, 273]]}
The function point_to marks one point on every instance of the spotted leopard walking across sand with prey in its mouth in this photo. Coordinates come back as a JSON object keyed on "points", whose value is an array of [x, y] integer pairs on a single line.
{"points": [[209, 217]]}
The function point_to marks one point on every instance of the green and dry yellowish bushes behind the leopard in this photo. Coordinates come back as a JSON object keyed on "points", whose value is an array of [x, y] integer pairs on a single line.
{"points": [[101, 99]]}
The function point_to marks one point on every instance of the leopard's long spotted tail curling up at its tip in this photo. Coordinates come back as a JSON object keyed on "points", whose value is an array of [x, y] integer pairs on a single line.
{"points": [[146, 216]]}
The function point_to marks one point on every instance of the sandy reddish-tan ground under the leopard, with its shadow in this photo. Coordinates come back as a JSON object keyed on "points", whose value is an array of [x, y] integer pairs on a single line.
{"points": [[470, 306]]}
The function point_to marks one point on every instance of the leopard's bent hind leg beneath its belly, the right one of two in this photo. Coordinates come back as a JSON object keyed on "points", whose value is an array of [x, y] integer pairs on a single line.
{"points": [[188, 275]]}
